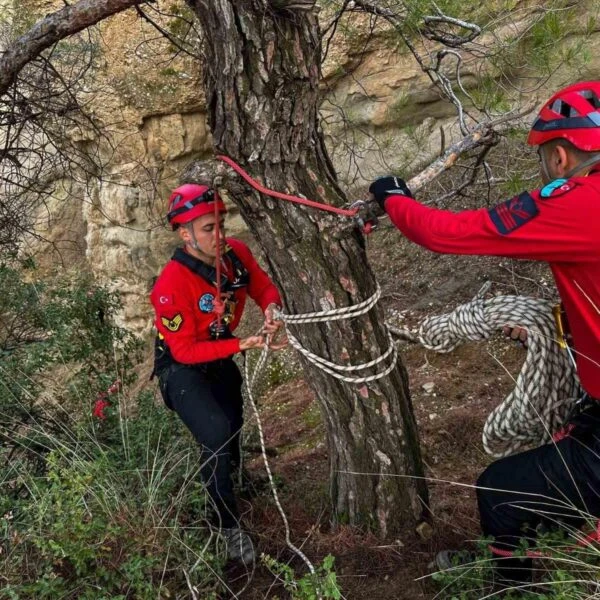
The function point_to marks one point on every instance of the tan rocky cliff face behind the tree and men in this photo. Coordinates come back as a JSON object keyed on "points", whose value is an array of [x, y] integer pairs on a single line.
{"points": [[381, 114]]}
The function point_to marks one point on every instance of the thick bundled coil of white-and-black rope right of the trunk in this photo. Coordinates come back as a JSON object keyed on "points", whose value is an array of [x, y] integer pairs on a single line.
{"points": [[547, 385]]}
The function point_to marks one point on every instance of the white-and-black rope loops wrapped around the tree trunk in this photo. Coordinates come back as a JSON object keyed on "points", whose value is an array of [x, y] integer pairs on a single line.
{"points": [[346, 312]]}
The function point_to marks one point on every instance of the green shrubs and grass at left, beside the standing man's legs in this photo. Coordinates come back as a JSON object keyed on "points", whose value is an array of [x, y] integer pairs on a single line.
{"points": [[91, 507]]}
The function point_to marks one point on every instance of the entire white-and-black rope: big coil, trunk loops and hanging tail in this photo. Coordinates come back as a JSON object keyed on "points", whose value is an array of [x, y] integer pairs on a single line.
{"points": [[546, 389]]}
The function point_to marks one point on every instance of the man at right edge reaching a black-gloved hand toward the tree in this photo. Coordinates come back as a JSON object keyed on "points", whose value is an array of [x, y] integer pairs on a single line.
{"points": [[559, 224]]}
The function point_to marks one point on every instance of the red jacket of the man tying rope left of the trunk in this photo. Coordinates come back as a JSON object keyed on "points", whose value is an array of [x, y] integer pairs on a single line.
{"points": [[182, 302]]}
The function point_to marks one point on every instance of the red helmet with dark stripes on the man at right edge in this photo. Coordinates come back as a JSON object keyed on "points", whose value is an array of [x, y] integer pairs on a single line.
{"points": [[572, 114]]}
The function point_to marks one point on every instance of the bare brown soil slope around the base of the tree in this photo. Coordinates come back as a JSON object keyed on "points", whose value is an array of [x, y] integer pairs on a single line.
{"points": [[452, 396]]}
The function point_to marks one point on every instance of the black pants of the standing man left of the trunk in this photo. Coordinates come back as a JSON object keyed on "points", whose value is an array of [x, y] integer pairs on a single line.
{"points": [[208, 400]]}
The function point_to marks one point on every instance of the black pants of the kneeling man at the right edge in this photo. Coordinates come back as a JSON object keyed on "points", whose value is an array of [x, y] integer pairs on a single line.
{"points": [[550, 485]]}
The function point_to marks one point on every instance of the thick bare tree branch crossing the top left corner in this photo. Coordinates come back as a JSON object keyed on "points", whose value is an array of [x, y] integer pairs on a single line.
{"points": [[53, 28]]}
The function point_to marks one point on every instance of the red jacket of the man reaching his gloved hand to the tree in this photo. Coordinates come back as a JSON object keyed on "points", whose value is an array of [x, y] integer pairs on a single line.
{"points": [[559, 223]]}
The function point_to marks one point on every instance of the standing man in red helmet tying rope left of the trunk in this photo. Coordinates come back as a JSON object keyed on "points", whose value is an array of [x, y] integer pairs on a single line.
{"points": [[193, 359]]}
